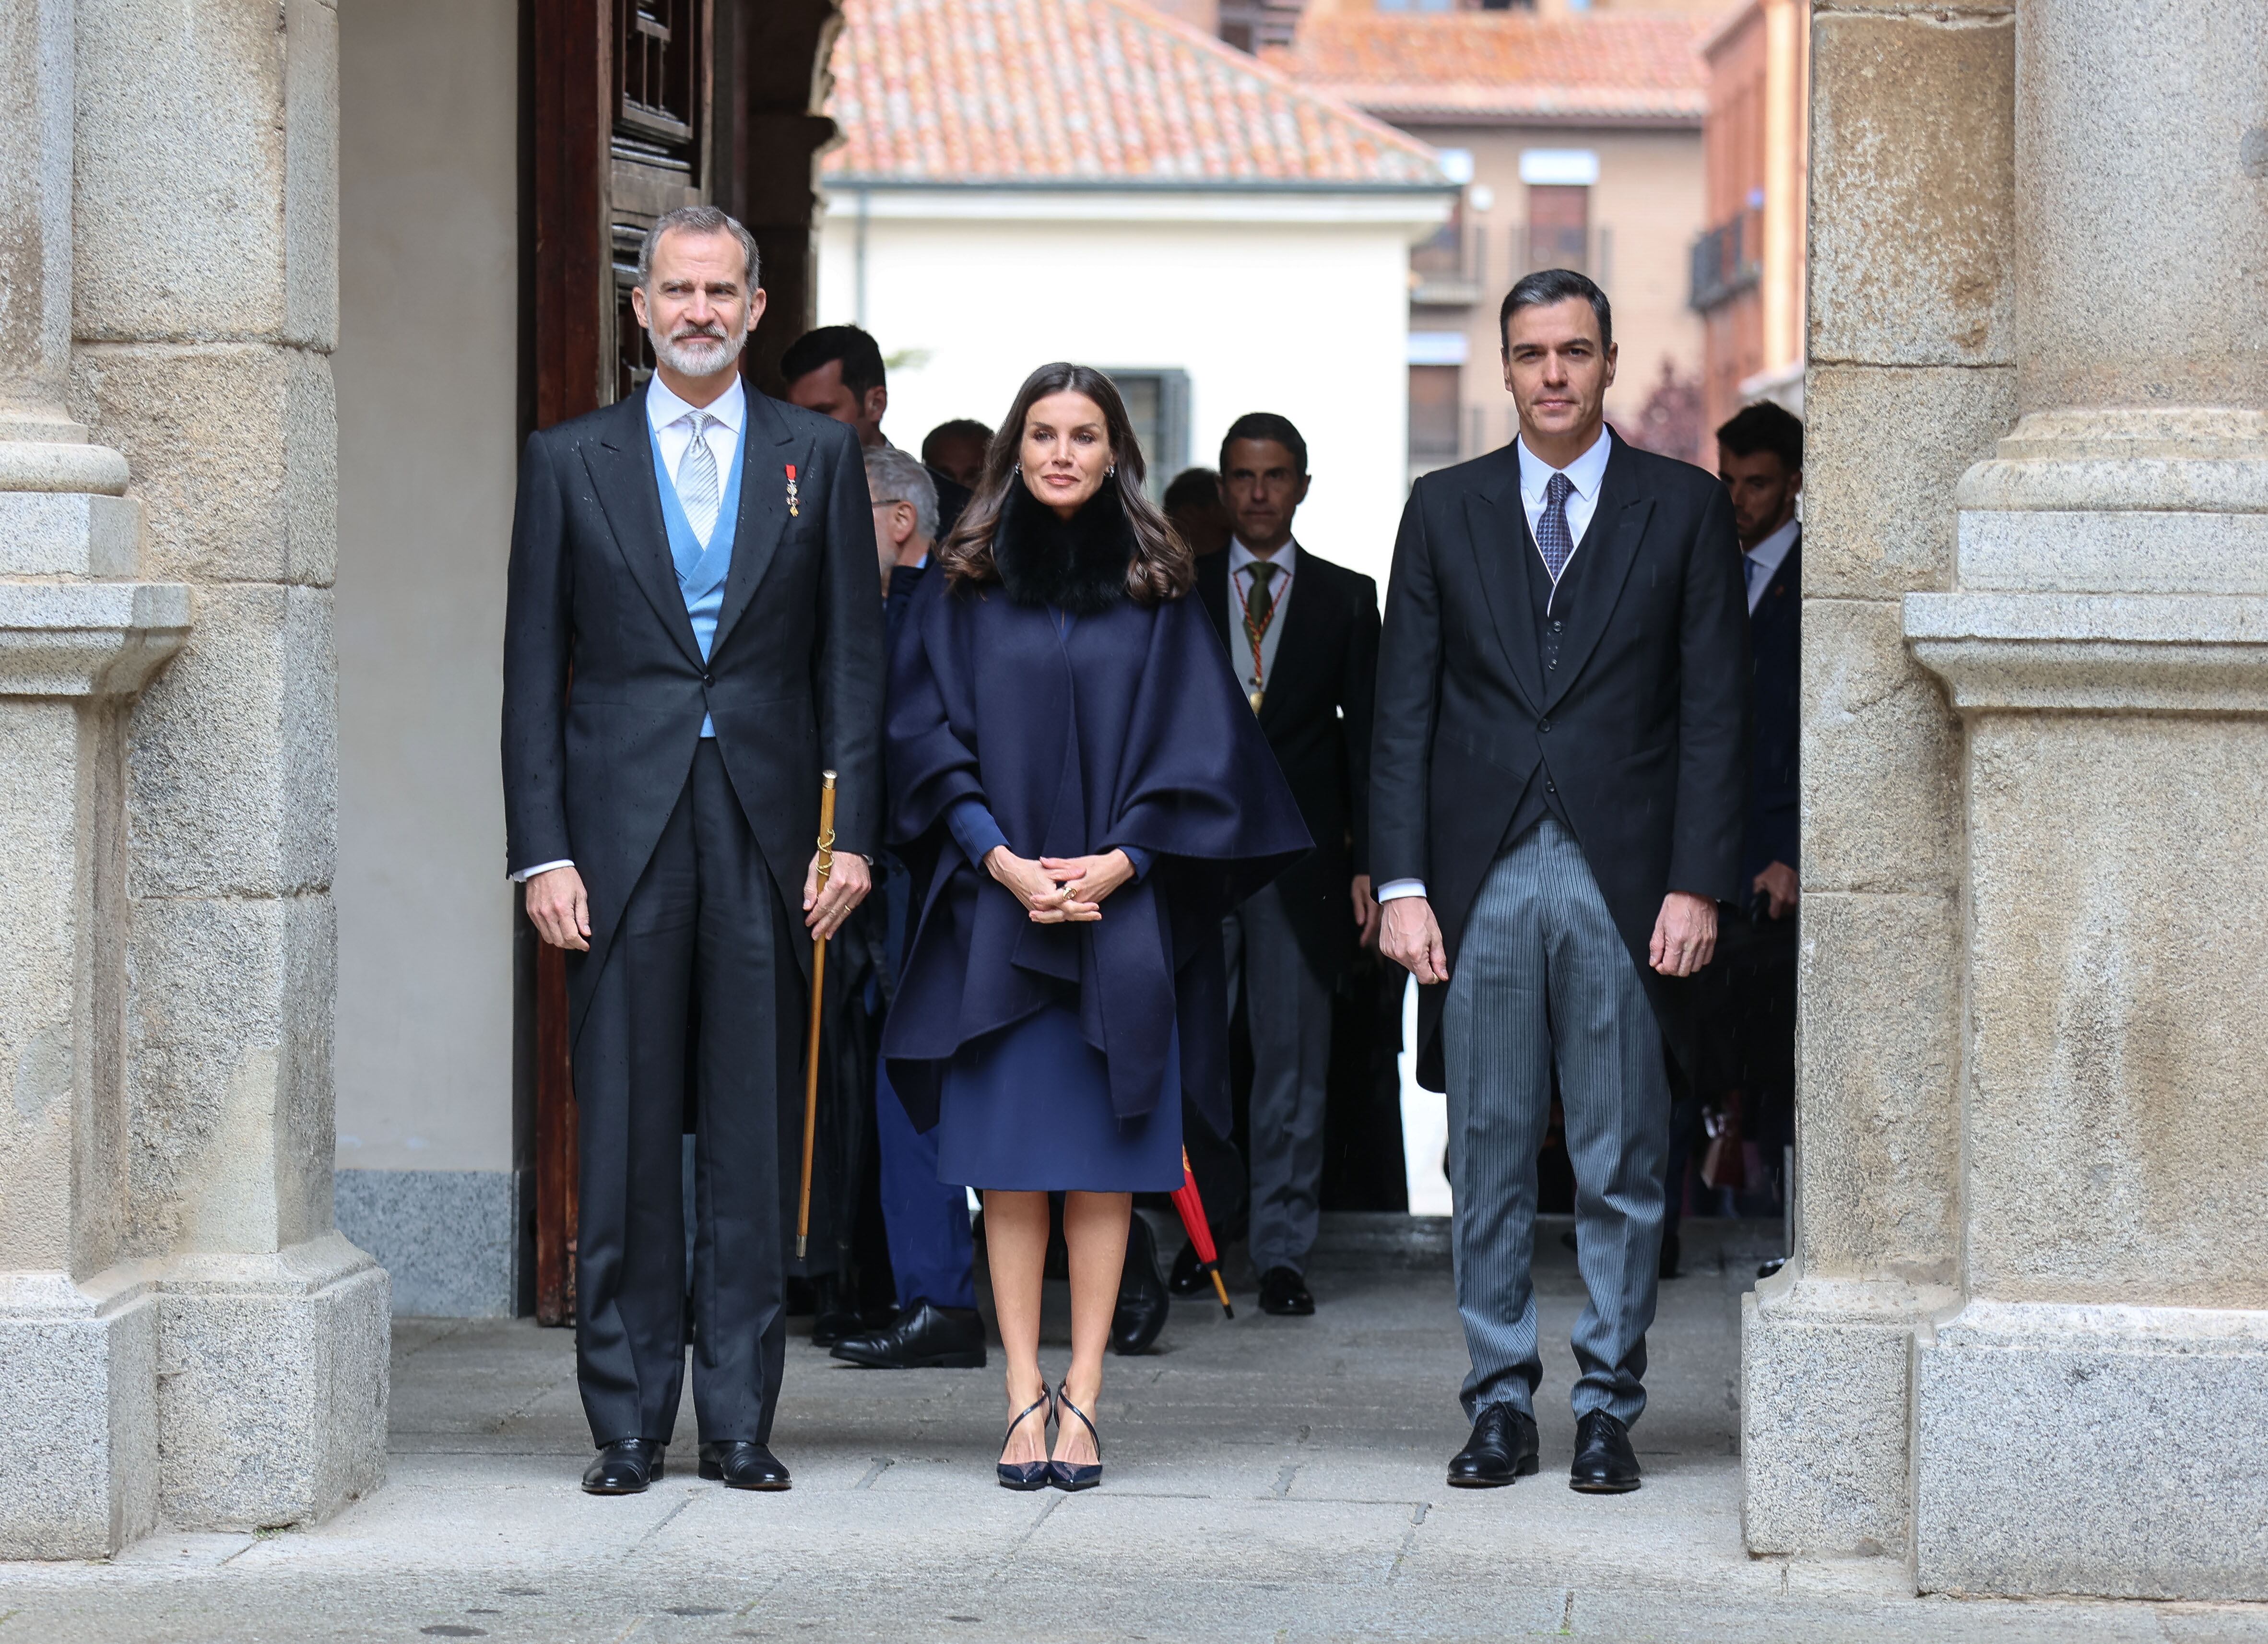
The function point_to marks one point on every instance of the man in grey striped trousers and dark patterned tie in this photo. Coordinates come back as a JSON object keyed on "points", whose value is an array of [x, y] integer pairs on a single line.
{"points": [[1559, 777]]}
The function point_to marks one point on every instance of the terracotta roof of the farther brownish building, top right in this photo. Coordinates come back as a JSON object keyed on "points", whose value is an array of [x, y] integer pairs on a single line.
{"points": [[1505, 67]]}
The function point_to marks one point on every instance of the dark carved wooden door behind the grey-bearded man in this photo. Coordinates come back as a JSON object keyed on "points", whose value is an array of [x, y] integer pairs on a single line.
{"points": [[638, 108]]}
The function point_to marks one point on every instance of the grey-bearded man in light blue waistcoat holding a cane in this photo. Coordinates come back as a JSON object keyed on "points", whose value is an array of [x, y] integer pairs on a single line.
{"points": [[691, 636]]}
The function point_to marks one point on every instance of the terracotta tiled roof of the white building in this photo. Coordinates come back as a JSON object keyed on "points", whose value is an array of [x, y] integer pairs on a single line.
{"points": [[1067, 92]]}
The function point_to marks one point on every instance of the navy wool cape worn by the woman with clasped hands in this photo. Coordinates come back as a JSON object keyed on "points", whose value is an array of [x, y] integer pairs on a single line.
{"points": [[1124, 731]]}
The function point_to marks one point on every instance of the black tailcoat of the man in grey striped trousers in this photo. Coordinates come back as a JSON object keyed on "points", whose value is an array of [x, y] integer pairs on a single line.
{"points": [[1643, 727]]}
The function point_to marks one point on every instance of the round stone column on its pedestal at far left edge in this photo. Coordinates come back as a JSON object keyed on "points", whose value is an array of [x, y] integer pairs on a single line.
{"points": [[78, 638]]}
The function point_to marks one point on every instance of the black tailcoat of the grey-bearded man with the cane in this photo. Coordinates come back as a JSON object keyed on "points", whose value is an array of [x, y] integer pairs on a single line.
{"points": [[795, 677]]}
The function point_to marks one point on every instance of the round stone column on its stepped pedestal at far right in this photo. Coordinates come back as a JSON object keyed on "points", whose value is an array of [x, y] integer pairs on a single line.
{"points": [[2094, 1418]]}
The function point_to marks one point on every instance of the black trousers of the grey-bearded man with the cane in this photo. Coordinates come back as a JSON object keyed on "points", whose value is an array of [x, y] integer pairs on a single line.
{"points": [[695, 1015]]}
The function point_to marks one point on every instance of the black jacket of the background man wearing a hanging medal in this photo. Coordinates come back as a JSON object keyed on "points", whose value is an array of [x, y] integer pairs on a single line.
{"points": [[1317, 718]]}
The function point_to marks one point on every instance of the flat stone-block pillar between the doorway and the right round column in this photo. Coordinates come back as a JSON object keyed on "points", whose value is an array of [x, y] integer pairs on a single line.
{"points": [[1911, 382]]}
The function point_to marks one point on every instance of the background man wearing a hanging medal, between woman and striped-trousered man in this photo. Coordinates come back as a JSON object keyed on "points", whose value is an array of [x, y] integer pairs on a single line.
{"points": [[1303, 636]]}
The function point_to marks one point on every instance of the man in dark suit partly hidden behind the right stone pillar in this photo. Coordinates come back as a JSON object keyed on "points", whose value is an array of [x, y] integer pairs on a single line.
{"points": [[1745, 1003]]}
